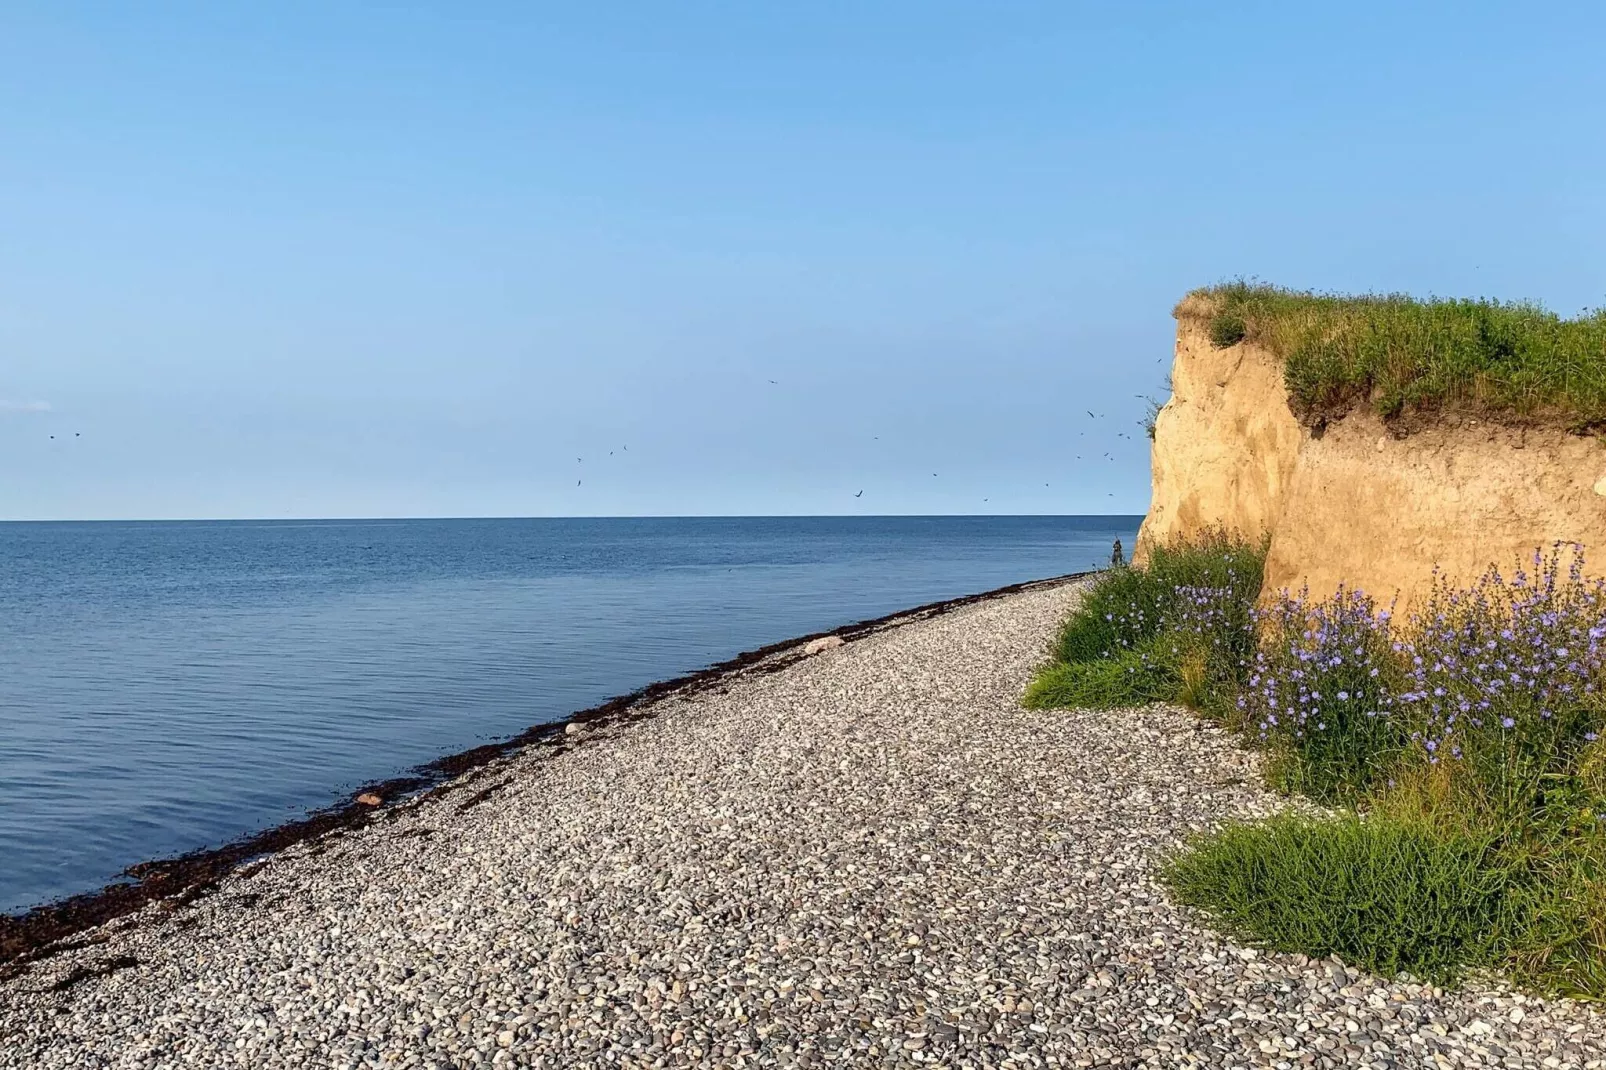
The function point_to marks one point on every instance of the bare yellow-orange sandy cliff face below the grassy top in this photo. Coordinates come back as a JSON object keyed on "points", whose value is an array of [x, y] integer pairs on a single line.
{"points": [[1356, 505]]}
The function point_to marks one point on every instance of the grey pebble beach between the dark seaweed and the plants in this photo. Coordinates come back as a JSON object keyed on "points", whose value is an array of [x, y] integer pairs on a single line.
{"points": [[871, 857]]}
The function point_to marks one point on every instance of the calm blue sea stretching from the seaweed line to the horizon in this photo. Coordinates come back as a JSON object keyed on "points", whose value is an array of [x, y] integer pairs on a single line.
{"points": [[176, 685]]}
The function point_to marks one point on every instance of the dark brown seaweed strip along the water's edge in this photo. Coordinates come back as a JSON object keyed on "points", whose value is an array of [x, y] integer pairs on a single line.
{"points": [[46, 931]]}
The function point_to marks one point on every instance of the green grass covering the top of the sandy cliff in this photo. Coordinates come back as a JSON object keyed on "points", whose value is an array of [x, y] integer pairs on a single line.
{"points": [[1408, 356]]}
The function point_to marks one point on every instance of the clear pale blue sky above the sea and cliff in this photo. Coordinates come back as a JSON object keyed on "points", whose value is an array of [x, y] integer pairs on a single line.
{"points": [[319, 259]]}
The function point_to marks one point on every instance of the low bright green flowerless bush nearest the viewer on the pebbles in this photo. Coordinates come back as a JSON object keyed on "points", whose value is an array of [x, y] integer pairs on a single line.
{"points": [[1382, 894]]}
